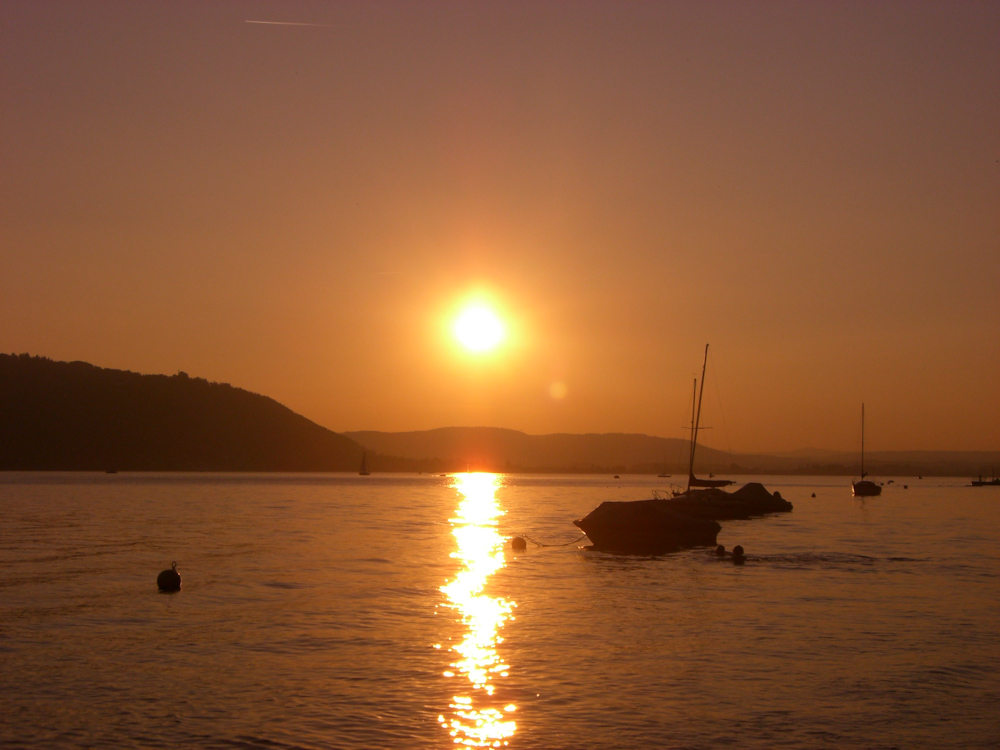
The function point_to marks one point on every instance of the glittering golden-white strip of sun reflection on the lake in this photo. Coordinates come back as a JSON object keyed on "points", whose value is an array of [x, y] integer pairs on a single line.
{"points": [[474, 720]]}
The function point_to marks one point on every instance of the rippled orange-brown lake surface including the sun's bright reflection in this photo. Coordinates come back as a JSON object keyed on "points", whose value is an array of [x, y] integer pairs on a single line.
{"points": [[335, 611]]}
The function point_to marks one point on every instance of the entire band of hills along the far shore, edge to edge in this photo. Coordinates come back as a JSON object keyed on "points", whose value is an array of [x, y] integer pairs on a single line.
{"points": [[75, 416]]}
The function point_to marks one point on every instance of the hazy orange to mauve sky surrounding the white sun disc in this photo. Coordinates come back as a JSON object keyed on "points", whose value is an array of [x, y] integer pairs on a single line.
{"points": [[301, 210]]}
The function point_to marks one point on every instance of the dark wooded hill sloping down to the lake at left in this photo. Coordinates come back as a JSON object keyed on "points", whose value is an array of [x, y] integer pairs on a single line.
{"points": [[78, 417]]}
